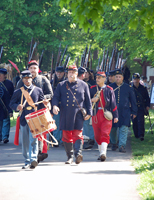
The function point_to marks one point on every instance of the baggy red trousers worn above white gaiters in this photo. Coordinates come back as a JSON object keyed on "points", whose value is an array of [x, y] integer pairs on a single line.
{"points": [[102, 128]]}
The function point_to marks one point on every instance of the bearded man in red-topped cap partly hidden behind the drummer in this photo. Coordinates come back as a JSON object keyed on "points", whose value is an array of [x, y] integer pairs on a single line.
{"points": [[43, 83]]}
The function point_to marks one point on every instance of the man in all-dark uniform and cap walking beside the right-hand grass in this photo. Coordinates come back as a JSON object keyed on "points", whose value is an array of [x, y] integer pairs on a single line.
{"points": [[143, 104]]}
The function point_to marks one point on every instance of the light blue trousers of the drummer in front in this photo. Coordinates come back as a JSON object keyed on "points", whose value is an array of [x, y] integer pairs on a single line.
{"points": [[29, 145]]}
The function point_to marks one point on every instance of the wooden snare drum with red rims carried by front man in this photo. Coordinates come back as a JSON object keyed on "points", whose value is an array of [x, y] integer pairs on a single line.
{"points": [[40, 122]]}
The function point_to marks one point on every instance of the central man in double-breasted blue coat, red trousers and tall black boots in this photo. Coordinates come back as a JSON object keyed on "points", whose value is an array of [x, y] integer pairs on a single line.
{"points": [[73, 94]]}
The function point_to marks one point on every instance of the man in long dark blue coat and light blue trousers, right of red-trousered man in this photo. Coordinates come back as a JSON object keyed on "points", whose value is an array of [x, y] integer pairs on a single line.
{"points": [[126, 104]]}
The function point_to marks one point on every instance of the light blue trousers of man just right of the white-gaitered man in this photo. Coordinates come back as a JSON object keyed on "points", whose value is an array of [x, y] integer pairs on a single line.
{"points": [[123, 132]]}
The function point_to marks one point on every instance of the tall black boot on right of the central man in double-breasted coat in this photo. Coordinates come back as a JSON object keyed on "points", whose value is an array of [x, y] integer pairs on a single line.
{"points": [[78, 151]]}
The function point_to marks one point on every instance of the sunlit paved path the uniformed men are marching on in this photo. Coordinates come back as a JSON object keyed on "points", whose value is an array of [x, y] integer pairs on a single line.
{"points": [[52, 179]]}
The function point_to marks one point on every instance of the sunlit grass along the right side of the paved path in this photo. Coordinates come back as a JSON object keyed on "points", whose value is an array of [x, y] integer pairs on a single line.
{"points": [[143, 160]]}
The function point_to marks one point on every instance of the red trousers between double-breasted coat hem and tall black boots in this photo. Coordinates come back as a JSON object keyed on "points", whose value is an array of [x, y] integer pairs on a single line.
{"points": [[72, 136]]}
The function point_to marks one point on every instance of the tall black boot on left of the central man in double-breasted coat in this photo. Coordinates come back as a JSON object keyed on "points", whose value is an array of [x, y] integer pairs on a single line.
{"points": [[69, 151]]}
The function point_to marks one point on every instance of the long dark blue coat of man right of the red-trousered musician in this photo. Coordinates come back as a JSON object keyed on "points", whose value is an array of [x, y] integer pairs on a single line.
{"points": [[126, 103]]}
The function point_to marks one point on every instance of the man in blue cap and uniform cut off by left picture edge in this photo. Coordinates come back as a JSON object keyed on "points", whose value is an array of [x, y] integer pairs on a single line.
{"points": [[8, 86]]}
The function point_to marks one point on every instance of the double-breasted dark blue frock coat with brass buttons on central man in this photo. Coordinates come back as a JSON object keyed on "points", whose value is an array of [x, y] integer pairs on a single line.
{"points": [[70, 115]]}
